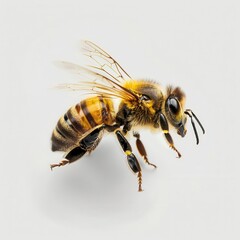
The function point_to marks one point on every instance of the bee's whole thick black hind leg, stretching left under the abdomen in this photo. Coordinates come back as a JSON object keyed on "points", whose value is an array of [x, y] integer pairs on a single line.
{"points": [[87, 144]]}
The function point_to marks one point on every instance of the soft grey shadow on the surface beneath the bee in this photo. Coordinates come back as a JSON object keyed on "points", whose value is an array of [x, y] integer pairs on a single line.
{"points": [[97, 185]]}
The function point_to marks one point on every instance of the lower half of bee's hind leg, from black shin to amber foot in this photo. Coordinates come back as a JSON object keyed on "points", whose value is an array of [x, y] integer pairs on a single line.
{"points": [[70, 157]]}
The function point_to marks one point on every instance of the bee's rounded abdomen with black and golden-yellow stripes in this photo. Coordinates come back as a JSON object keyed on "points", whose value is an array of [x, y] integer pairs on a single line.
{"points": [[80, 120]]}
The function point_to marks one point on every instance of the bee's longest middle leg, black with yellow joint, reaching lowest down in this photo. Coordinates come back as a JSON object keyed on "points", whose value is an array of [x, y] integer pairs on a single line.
{"points": [[132, 160]]}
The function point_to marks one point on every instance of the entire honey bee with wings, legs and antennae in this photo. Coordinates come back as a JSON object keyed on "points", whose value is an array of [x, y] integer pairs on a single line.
{"points": [[141, 103]]}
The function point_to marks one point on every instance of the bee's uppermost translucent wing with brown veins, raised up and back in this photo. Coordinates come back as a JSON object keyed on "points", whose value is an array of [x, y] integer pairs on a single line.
{"points": [[104, 63]]}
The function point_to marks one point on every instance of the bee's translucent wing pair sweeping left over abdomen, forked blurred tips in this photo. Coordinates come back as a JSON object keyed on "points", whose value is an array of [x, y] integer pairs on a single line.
{"points": [[97, 83]]}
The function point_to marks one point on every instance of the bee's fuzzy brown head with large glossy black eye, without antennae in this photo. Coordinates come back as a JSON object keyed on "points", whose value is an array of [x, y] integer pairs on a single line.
{"points": [[174, 105]]}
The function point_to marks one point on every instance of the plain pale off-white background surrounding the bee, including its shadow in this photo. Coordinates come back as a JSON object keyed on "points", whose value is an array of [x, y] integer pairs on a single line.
{"points": [[193, 44]]}
